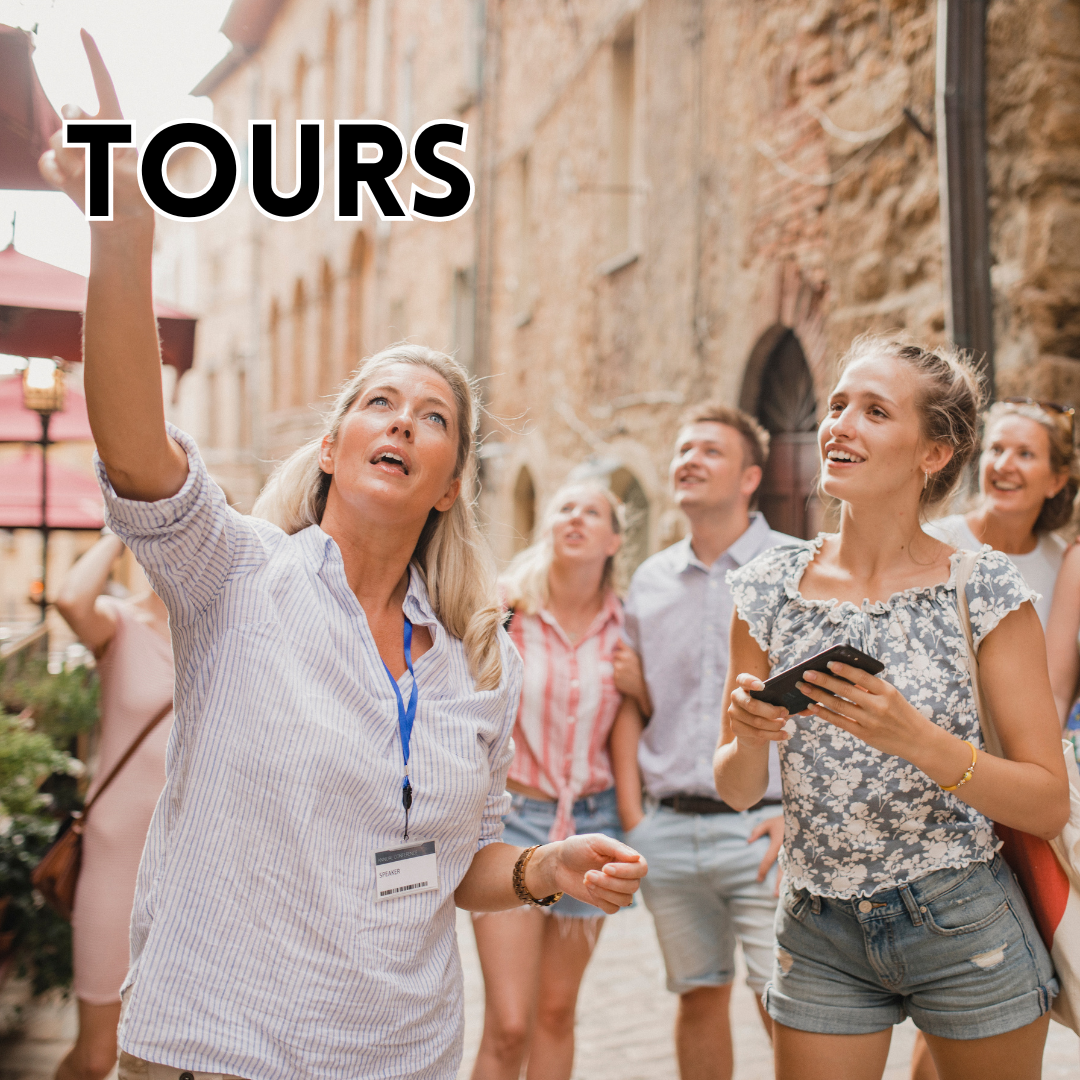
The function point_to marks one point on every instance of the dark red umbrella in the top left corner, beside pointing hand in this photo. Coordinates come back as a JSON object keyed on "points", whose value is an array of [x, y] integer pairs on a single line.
{"points": [[28, 120]]}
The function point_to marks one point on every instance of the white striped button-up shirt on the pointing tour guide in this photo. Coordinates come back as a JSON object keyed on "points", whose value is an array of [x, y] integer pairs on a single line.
{"points": [[258, 948]]}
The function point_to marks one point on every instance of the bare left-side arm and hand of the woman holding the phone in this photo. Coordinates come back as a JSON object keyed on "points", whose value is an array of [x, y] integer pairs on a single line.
{"points": [[748, 726]]}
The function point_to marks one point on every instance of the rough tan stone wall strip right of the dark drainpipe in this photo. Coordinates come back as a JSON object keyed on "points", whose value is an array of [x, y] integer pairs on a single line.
{"points": [[1034, 143]]}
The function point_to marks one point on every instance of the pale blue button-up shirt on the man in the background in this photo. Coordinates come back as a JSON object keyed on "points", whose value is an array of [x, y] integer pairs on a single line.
{"points": [[679, 619]]}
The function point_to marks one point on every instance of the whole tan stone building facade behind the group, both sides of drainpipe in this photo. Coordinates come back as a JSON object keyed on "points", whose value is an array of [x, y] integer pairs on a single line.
{"points": [[677, 199]]}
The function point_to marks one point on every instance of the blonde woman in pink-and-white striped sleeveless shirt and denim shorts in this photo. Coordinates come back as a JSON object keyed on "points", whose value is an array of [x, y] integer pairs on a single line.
{"points": [[571, 752]]}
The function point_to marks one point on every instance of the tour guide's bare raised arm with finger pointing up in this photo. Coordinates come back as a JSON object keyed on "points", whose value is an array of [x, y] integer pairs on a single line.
{"points": [[123, 377]]}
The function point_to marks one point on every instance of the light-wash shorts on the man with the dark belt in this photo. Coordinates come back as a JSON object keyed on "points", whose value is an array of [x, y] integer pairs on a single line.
{"points": [[705, 897]]}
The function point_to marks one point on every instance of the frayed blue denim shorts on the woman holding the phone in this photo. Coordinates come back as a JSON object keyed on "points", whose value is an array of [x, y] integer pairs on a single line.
{"points": [[957, 951]]}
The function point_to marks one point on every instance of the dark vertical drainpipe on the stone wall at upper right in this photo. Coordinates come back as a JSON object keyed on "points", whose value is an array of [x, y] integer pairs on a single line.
{"points": [[962, 167]]}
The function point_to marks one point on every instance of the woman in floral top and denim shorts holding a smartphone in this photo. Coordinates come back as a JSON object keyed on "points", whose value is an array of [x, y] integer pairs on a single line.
{"points": [[895, 900]]}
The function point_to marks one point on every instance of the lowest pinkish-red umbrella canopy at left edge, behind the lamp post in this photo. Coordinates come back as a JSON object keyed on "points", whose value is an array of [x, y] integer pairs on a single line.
{"points": [[75, 499]]}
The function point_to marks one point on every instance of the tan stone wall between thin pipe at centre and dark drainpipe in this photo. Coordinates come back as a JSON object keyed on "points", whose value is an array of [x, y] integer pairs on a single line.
{"points": [[747, 213]]}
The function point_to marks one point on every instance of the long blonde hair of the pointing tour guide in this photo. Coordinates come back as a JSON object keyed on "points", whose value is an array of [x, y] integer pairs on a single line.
{"points": [[452, 556]]}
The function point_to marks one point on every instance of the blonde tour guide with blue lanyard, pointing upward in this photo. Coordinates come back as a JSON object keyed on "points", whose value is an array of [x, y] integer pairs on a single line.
{"points": [[295, 908]]}
